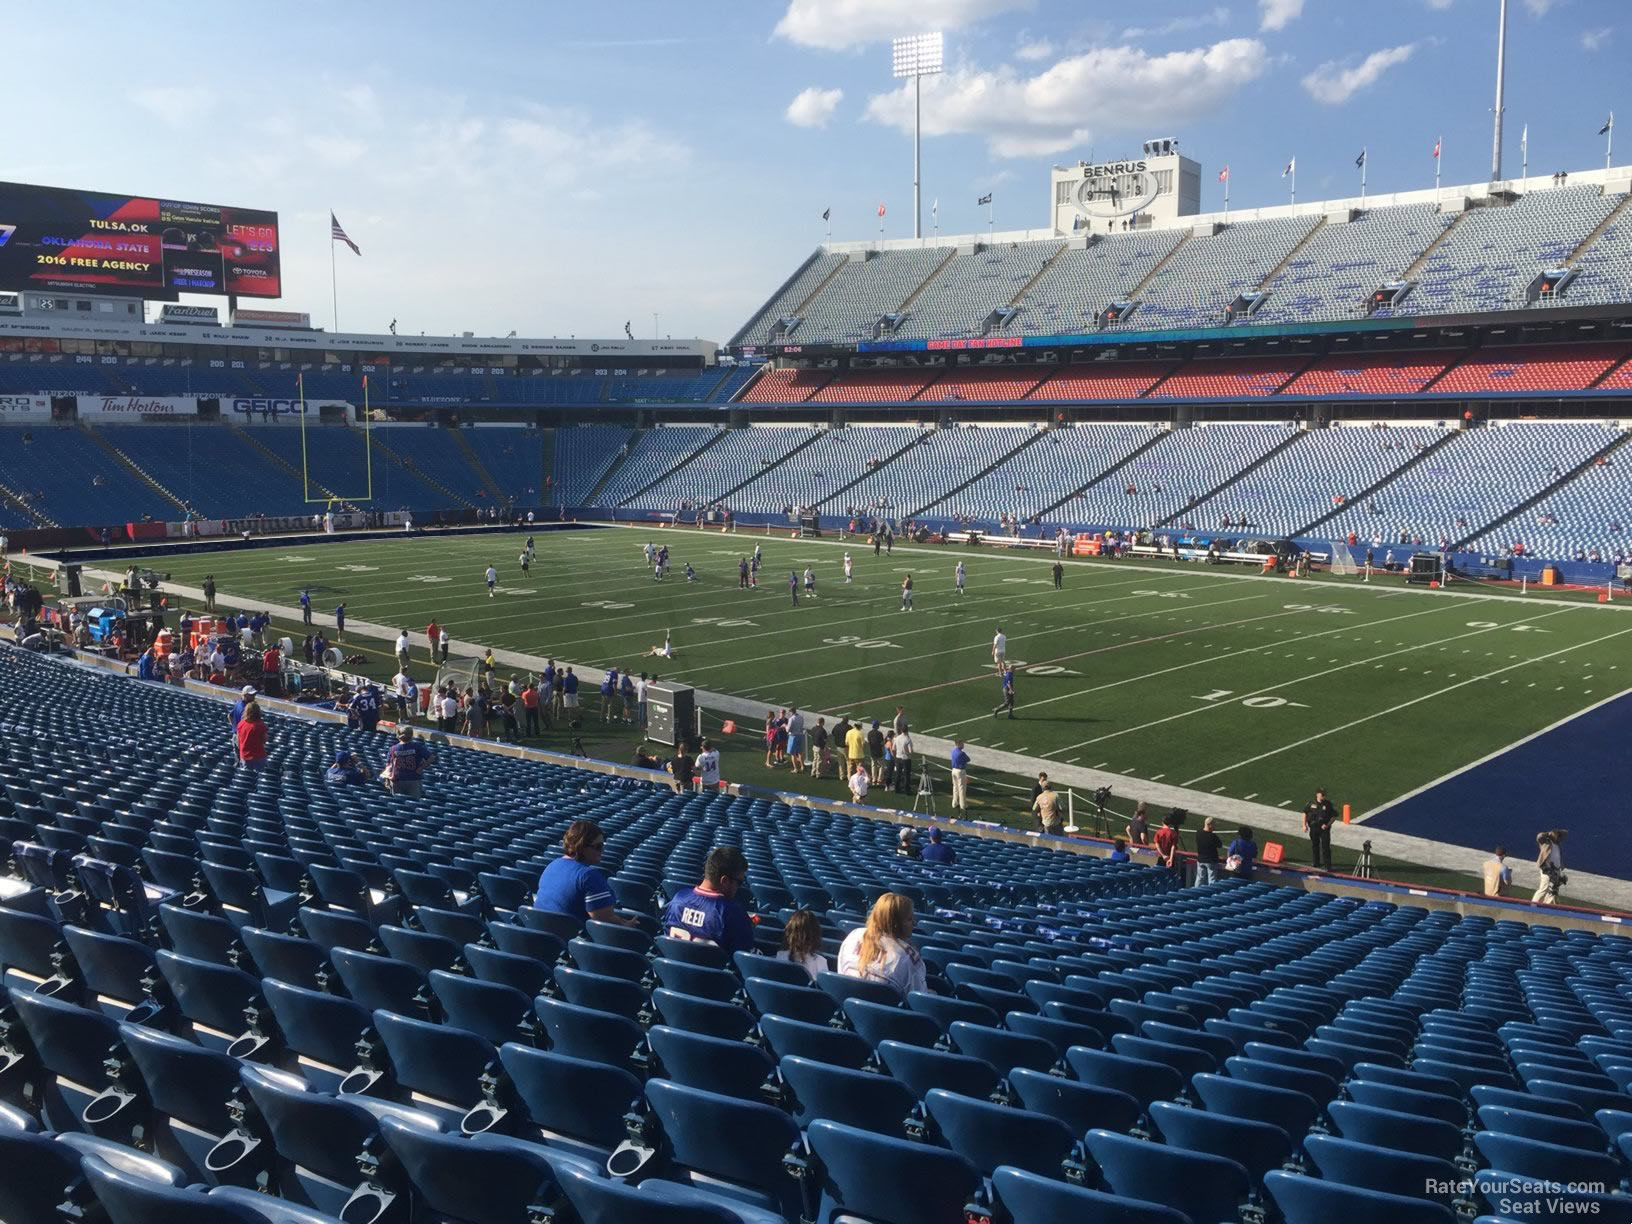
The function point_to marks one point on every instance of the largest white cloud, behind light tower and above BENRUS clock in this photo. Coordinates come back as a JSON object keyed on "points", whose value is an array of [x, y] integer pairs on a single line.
{"points": [[1039, 115]]}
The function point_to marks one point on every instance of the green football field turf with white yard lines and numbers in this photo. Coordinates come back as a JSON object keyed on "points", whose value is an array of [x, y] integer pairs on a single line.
{"points": [[1204, 678]]}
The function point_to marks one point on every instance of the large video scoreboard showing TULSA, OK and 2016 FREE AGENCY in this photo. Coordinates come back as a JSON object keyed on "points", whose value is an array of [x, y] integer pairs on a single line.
{"points": [[91, 242]]}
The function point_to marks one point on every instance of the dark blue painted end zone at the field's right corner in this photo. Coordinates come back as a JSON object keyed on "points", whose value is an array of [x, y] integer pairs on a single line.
{"points": [[1564, 779]]}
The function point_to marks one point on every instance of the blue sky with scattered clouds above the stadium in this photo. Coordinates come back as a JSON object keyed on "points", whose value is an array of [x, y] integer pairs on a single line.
{"points": [[561, 169]]}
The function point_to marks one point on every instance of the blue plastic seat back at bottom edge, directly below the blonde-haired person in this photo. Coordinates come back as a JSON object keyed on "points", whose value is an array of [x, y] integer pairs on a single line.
{"points": [[879, 1177]]}
